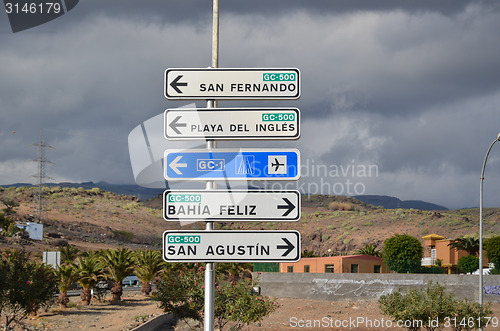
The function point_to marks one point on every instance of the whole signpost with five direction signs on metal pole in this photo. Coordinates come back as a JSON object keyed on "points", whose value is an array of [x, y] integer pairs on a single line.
{"points": [[211, 164]]}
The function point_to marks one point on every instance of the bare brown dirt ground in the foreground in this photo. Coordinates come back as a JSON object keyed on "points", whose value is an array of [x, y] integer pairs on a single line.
{"points": [[293, 314]]}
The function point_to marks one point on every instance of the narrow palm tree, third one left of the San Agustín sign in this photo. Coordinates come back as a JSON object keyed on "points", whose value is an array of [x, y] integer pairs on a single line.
{"points": [[89, 270]]}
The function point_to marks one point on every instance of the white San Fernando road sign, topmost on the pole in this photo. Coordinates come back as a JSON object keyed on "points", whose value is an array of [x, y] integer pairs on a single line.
{"points": [[232, 83]]}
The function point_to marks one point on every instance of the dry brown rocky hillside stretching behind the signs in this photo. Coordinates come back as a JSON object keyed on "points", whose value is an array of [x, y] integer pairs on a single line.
{"points": [[93, 218]]}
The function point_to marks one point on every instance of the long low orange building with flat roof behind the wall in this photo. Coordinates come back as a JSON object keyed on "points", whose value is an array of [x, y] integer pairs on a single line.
{"points": [[337, 264]]}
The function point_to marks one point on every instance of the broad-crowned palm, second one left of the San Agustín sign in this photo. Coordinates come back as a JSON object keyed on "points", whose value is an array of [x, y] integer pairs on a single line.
{"points": [[117, 264]]}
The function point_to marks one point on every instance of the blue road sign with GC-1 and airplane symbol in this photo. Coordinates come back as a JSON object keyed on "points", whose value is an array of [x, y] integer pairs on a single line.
{"points": [[232, 164]]}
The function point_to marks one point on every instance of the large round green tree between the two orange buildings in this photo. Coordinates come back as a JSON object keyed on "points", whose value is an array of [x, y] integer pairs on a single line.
{"points": [[403, 253]]}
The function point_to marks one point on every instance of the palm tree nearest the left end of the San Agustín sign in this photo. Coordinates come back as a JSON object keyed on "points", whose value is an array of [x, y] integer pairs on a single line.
{"points": [[148, 265]]}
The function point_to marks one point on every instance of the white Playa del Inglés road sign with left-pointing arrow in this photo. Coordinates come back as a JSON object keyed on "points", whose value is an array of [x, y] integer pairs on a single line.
{"points": [[232, 123]]}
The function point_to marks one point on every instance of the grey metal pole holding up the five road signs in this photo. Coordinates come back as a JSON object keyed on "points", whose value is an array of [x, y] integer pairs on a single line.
{"points": [[211, 144]]}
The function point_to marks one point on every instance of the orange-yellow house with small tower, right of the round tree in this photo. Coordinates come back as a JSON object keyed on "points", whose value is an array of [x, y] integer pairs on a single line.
{"points": [[436, 248]]}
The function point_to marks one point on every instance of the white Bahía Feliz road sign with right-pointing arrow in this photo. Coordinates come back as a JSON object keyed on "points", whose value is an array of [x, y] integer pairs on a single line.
{"points": [[236, 205]]}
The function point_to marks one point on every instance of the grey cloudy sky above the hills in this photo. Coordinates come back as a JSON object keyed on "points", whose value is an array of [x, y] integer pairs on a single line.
{"points": [[399, 97]]}
